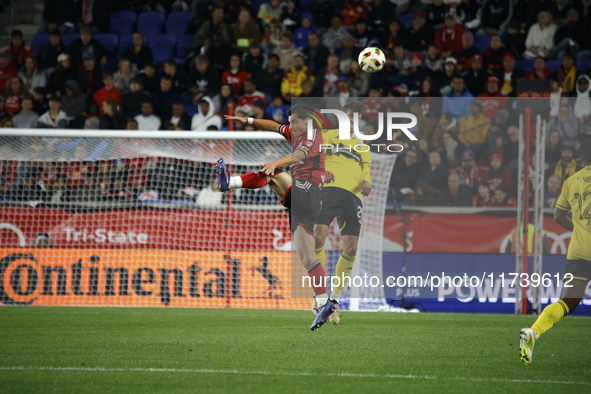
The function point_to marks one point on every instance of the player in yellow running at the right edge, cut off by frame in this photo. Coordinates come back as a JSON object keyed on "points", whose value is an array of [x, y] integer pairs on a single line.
{"points": [[575, 197]]}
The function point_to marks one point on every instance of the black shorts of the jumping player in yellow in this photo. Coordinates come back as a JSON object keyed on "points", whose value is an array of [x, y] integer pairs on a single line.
{"points": [[345, 206]]}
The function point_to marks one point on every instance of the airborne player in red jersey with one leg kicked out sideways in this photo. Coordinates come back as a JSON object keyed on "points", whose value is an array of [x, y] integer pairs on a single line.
{"points": [[300, 194]]}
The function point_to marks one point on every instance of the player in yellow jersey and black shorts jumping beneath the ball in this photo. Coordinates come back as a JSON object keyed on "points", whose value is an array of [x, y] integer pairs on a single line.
{"points": [[348, 169]]}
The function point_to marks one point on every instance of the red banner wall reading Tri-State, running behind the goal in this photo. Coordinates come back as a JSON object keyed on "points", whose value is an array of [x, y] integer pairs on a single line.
{"points": [[174, 228]]}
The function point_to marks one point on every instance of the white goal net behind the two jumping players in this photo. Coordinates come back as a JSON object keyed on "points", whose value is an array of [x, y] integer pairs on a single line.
{"points": [[101, 218]]}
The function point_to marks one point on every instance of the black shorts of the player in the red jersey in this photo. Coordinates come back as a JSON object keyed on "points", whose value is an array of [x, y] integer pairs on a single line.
{"points": [[303, 202]]}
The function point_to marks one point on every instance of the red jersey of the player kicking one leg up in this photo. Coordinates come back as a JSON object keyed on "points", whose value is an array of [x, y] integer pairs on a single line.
{"points": [[312, 167]]}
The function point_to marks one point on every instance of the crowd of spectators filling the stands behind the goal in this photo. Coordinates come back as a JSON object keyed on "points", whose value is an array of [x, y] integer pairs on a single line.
{"points": [[455, 64]]}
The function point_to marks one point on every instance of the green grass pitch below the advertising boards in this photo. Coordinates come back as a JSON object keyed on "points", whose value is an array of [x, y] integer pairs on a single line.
{"points": [[137, 350]]}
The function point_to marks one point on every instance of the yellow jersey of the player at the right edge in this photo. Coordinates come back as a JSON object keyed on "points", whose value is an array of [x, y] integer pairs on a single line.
{"points": [[576, 197]]}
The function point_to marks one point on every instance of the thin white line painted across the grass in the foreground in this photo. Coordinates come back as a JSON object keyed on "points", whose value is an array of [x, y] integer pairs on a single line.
{"points": [[235, 372]]}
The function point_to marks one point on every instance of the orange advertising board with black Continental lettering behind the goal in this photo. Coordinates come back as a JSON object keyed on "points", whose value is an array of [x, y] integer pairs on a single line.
{"points": [[145, 278]]}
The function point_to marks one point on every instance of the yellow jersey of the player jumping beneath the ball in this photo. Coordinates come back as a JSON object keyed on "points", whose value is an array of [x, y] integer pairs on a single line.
{"points": [[349, 160]]}
